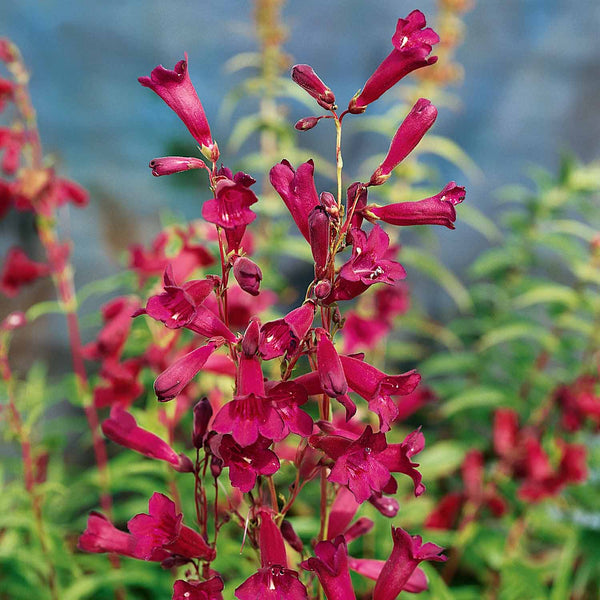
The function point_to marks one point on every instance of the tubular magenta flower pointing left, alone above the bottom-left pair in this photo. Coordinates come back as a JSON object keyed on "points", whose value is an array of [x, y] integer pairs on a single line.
{"points": [[122, 429]]}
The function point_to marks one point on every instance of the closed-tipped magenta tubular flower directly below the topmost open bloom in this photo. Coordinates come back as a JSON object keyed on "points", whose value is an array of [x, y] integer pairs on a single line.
{"points": [[411, 131]]}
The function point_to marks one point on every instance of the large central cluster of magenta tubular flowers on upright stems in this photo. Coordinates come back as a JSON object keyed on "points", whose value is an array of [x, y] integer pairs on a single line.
{"points": [[251, 432]]}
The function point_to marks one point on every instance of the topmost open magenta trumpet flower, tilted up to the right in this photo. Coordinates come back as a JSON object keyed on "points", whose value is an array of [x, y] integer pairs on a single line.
{"points": [[412, 45]]}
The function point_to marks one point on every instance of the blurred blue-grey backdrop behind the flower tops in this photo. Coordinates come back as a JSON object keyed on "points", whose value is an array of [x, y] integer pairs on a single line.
{"points": [[531, 90]]}
